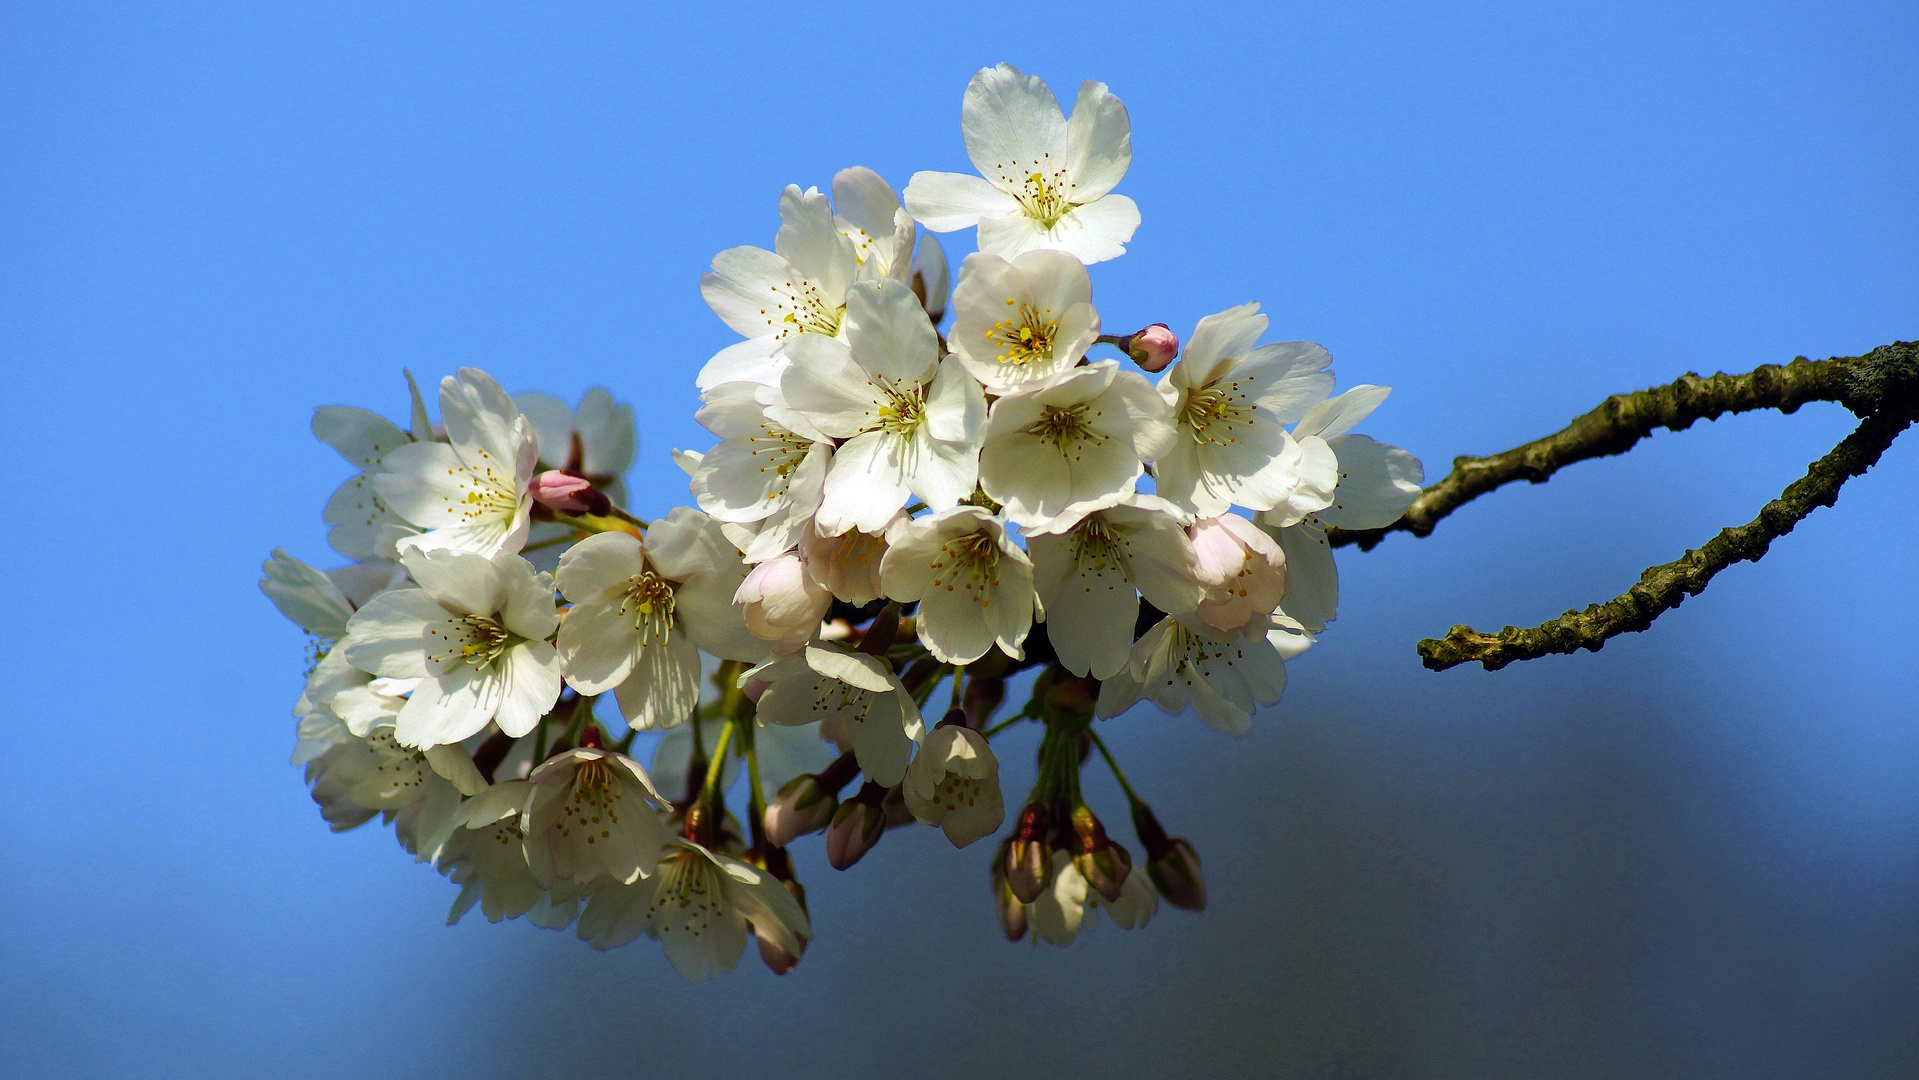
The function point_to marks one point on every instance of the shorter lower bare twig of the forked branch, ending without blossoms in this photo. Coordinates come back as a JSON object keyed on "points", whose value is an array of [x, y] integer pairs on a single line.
{"points": [[1883, 388]]}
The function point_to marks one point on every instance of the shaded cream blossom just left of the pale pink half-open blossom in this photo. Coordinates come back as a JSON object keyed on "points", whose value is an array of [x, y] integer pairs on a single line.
{"points": [[1091, 575]]}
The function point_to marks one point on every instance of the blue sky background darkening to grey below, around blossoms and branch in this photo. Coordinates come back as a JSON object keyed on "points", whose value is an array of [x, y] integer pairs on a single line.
{"points": [[1695, 853]]}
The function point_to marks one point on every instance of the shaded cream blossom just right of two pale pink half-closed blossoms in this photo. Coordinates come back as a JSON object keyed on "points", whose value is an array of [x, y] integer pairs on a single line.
{"points": [[972, 582]]}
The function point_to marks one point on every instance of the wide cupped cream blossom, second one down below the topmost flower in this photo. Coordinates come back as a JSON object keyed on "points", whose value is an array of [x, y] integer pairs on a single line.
{"points": [[1081, 440]]}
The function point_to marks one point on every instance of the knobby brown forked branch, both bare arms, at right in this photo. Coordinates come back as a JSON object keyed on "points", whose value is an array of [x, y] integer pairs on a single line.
{"points": [[1882, 388]]}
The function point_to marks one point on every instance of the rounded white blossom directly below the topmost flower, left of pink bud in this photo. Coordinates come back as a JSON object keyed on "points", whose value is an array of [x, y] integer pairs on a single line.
{"points": [[1020, 325]]}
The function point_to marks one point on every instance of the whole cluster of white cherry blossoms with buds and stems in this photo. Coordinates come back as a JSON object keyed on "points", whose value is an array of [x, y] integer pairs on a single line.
{"points": [[889, 509]]}
